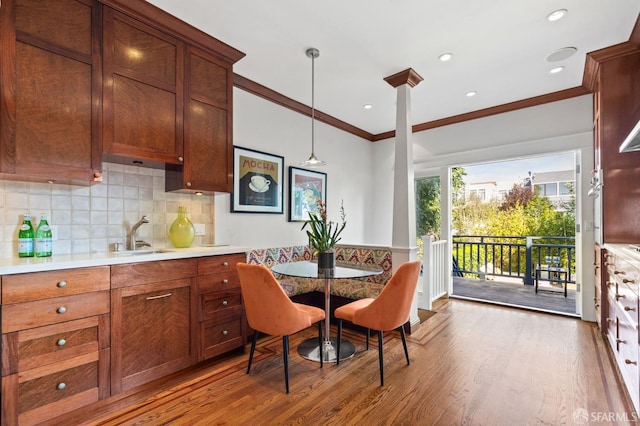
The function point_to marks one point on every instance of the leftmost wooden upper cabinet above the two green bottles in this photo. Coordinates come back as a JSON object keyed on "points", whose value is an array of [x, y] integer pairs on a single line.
{"points": [[51, 90]]}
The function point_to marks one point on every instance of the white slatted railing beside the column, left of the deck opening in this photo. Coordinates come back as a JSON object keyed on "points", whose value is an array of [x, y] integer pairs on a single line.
{"points": [[435, 271]]}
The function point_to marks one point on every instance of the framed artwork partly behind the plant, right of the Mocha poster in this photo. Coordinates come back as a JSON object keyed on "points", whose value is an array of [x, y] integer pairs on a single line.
{"points": [[306, 187]]}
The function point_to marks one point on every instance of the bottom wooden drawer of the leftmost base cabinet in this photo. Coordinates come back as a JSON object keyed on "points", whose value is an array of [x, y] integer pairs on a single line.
{"points": [[71, 379]]}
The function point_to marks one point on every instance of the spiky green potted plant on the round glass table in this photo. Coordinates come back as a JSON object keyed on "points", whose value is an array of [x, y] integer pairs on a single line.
{"points": [[324, 235]]}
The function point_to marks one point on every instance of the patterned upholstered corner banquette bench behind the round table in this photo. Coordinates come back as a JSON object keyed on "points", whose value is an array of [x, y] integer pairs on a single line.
{"points": [[343, 291]]}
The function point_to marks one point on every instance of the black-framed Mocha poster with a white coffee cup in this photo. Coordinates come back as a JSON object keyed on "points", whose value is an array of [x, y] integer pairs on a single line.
{"points": [[258, 182]]}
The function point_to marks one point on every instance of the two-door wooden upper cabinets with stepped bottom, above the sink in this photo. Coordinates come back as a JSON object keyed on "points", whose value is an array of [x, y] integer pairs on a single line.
{"points": [[168, 96]]}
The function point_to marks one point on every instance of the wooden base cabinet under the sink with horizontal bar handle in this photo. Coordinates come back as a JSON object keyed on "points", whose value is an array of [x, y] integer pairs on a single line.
{"points": [[152, 332]]}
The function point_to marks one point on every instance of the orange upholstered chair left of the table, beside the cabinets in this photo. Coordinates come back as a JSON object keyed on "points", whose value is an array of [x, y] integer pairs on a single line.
{"points": [[270, 311]]}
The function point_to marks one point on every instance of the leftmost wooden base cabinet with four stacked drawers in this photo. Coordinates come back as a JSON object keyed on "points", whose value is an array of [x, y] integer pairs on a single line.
{"points": [[55, 343]]}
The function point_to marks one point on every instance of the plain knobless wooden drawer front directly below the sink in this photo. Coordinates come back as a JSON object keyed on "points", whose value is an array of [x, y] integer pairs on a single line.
{"points": [[134, 274]]}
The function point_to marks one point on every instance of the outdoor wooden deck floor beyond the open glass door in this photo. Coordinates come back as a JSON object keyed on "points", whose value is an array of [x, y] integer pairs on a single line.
{"points": [[516, 294]]}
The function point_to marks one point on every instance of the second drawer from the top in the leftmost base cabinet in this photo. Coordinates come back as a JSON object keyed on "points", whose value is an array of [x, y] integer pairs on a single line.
{"points": [[22, 316]]}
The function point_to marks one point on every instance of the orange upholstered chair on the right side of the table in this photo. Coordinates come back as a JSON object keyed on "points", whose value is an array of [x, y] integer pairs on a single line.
{"points": [[389, 311]]}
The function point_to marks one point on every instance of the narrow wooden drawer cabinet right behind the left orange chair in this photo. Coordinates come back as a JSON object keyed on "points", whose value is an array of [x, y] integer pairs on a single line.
{"points": [[221, 320]]}
